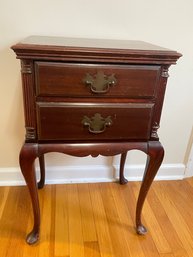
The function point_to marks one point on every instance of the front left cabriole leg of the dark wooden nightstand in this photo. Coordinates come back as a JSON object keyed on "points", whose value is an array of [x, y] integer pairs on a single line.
{"points": [[27, 157]]}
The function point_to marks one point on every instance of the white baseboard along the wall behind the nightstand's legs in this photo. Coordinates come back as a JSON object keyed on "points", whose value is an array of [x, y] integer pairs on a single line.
{"points": [[90, 174]]}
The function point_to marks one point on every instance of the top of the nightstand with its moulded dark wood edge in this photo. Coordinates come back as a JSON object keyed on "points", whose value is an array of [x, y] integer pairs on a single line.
{"points": [[62, 48]]}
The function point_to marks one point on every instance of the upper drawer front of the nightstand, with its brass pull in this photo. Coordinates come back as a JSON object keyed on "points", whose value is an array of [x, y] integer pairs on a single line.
{"points": [[88, 80]]}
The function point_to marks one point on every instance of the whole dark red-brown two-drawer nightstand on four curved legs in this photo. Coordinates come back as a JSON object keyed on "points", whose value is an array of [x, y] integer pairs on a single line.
{"points": [[66, 113]]}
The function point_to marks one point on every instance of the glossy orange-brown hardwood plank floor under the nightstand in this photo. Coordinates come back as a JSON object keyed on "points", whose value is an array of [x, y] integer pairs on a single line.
{"points": [[97, 220]]}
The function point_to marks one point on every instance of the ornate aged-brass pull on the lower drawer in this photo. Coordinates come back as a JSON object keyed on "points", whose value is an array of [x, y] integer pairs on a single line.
{"points": [[97, 124]]}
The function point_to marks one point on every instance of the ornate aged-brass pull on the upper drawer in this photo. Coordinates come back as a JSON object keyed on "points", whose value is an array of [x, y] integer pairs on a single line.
{"points": [[100, 83]]}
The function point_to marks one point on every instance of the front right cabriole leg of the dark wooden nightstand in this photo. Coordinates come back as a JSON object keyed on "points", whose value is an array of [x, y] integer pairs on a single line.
{"points": [[155, 156]]}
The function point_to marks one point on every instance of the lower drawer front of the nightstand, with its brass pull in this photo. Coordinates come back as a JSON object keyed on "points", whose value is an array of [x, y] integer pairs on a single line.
{"points": [[75, 121]]}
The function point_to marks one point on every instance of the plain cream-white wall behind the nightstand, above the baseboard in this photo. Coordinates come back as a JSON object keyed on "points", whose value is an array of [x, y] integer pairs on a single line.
{"points": [[166, 23]]}
